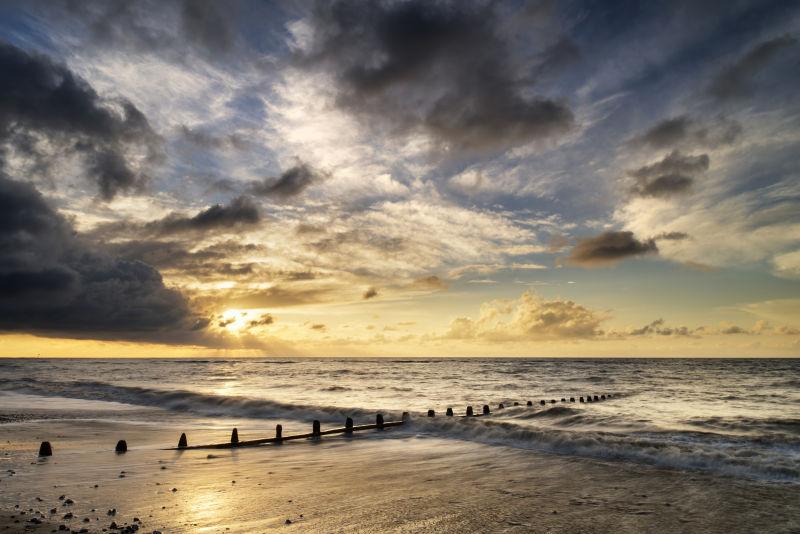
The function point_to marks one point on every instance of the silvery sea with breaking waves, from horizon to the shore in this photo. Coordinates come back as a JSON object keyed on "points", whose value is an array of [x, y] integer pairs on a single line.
{"points": [[738, 418]]}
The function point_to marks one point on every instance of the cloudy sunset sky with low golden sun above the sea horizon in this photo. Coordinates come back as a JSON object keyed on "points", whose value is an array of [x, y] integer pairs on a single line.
{"points": [[399, 178]]}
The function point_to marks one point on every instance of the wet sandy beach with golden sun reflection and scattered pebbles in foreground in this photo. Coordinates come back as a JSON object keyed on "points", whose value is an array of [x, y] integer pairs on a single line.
{"points": [[368, 483]]}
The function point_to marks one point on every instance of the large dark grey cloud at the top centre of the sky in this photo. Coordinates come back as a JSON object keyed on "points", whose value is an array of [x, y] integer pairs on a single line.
{"points": [[443, 67]]}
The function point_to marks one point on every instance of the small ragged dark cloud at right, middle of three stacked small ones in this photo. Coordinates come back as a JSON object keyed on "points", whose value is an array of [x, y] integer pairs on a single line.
{"points": [[672, 175]]}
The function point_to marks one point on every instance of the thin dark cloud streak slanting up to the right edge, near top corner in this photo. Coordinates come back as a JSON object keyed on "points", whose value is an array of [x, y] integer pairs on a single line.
{"points": [[736, 80]]}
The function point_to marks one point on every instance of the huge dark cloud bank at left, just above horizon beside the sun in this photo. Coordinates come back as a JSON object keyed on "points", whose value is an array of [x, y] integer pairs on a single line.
{"points": [[52, 282]]}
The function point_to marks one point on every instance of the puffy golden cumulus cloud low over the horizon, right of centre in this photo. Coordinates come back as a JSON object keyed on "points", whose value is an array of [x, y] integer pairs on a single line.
{"points": [[529, 317]]}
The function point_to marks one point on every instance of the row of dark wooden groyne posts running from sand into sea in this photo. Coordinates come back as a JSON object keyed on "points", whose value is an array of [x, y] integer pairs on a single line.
{"points": [[46, 449]]}
